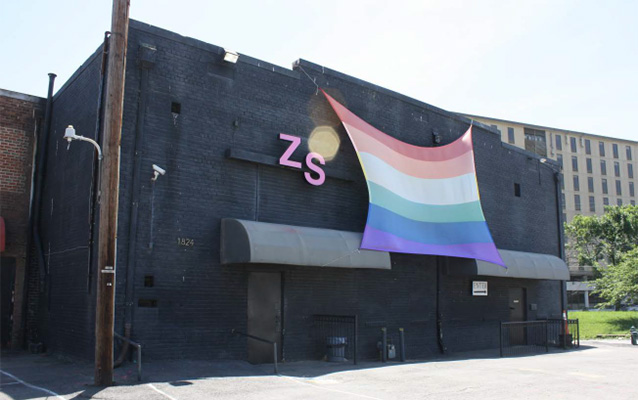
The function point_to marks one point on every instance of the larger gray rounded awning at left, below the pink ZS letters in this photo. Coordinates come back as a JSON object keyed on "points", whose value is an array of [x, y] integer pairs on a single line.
{"points": [[250, 242]]}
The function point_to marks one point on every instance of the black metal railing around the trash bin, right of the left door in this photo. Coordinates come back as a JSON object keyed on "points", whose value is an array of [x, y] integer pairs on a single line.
{"points": [[336, 337]]}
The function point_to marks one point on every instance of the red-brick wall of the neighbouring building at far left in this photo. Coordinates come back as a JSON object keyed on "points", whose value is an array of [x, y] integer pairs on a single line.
{"points": [[20, 117]]}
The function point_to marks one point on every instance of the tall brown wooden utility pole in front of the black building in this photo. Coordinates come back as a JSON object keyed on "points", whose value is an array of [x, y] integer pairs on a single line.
{"points": [[109, 189]]}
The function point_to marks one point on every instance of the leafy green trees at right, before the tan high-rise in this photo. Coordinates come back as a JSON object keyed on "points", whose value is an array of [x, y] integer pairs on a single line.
{"points": [[609, 243]]}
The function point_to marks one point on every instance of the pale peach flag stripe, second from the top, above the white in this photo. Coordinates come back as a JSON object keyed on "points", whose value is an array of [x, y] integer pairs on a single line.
{"points": [[463, 164]]}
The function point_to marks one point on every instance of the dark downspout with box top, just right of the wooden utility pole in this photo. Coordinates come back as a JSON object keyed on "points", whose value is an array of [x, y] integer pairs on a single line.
{"points": [[146, 61]]}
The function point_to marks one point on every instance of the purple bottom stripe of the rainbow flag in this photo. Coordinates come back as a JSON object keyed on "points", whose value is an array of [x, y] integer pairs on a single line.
{"points": [[374, 239]]}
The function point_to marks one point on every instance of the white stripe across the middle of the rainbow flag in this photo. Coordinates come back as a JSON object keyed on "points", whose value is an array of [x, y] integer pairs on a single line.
{"points": [[434, 191]]}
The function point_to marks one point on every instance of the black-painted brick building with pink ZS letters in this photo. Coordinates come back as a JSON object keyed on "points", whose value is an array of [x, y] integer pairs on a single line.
{"points": [[214, 127]]}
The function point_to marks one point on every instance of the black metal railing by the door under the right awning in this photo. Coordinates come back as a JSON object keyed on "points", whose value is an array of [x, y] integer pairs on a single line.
{"points": [[518, 338]]}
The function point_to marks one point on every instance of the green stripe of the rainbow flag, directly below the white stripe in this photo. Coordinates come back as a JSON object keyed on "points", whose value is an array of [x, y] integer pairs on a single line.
{"points": [[463, 212]]}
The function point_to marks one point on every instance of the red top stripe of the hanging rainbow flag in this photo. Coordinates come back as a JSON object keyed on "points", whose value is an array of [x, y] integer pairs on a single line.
{"points": [[440, 153]]}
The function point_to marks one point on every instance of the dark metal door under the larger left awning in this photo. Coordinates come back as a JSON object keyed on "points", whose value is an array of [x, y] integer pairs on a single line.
{"points": [[264, 315]]}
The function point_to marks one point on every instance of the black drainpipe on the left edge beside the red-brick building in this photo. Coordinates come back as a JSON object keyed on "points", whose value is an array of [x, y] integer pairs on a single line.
{"points": [[37, 198]]}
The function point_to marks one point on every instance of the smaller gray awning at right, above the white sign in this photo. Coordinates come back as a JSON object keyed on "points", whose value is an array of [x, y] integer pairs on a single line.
{"points": [[526, 265]]}
